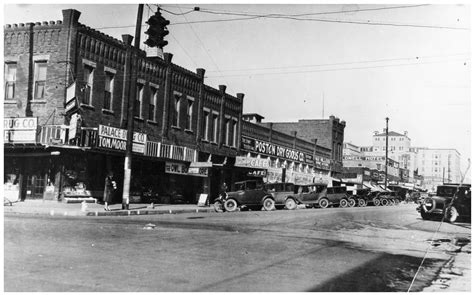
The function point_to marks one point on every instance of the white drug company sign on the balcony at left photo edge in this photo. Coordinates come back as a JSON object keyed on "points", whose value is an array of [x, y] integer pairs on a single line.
{"points": [[20, 130]]}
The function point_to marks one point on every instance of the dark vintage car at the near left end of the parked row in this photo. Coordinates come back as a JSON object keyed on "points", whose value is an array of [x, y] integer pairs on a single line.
{"points": [[249, 194]]}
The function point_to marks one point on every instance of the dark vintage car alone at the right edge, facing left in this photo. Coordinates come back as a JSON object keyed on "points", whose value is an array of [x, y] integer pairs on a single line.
{"points": [[451, 202]]}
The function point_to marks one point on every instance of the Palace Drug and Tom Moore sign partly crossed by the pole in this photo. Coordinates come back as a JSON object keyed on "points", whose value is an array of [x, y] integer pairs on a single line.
{"points": [[116, 139]]}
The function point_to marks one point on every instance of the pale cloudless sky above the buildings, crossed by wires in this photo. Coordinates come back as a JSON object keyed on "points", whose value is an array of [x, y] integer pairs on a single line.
{"points": [[417, 76]]}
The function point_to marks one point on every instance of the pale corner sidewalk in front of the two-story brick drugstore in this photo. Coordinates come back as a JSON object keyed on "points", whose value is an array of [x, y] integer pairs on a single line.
{"points": [[41, 207]]}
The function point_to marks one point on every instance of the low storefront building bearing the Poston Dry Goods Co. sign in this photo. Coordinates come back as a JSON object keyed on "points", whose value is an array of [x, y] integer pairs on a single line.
{"points": [[285, 157]]}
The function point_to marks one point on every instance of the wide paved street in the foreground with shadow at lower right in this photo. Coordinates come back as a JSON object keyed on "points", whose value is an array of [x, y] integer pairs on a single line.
{"points": [[334, 249]]}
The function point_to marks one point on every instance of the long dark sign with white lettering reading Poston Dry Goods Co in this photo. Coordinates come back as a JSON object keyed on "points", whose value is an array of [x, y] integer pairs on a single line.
{"points": [[270, 149]]}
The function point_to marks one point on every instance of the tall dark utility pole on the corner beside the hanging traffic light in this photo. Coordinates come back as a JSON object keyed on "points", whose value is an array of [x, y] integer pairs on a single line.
{"points": [[131, 80]]}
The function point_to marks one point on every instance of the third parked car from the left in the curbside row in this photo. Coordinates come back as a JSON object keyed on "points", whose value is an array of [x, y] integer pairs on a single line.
{"points": [[309, 195]]}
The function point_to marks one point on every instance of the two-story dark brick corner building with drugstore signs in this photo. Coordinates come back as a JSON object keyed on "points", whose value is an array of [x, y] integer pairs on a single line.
{"points": [[67, 94]]}
